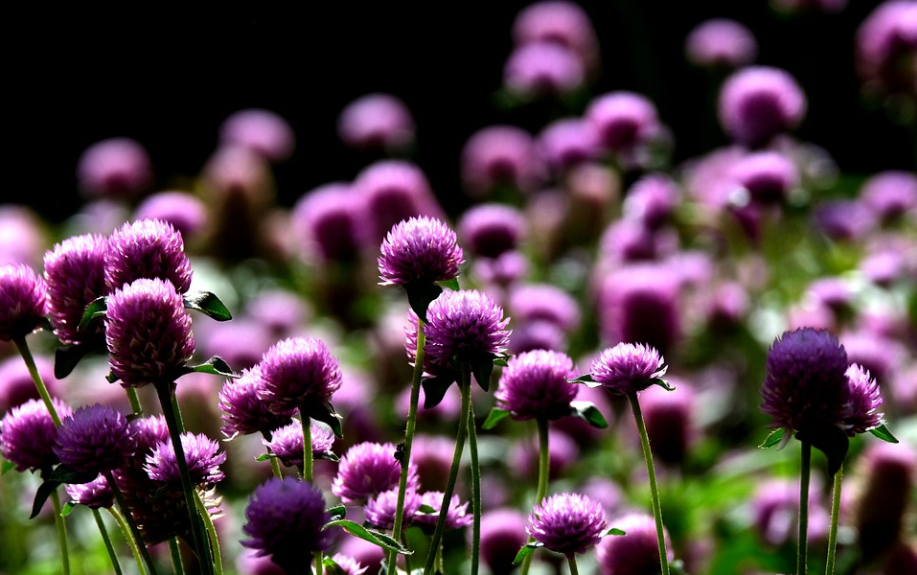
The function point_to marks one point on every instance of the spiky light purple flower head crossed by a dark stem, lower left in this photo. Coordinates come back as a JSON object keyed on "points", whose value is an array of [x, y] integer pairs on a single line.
{"points": [[202, 455]]}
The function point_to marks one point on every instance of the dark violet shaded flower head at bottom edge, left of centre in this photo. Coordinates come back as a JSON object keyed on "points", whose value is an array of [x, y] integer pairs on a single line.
{"points": [[285, 519]]}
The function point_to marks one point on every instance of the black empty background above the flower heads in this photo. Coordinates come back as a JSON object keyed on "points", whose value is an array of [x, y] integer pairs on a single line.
{"points": [[169, 79]]}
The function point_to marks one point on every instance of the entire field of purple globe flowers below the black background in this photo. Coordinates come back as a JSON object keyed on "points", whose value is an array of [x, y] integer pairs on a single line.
{"points": [[774, 302]]}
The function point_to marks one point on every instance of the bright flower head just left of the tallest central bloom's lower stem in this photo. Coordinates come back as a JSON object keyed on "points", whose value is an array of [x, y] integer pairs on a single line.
{"points": [[368, 469]]}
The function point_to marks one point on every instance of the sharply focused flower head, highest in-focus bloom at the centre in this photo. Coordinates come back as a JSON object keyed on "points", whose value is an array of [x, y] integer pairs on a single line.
{"points": [[419, 251]]}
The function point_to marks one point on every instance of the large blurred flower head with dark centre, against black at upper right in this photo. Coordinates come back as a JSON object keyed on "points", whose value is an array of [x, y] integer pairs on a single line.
{"points": [[759, 102]]}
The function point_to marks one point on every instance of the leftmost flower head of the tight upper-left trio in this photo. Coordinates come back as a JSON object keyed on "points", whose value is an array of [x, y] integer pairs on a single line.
{"points": [[75, 276]]}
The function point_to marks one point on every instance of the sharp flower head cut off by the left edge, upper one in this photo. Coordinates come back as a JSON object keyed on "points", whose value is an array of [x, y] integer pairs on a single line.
{"points": [[22, 301]]}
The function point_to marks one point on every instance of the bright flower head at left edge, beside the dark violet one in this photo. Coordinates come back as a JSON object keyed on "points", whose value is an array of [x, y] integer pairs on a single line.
{"points": [[27, 435]]}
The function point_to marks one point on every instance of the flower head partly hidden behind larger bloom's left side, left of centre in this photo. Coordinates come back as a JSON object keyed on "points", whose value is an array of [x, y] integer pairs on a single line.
{"points": [[243, 412]]}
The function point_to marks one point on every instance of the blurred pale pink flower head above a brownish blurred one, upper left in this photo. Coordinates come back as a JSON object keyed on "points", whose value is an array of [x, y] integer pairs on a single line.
{"points": [[263, 132]]}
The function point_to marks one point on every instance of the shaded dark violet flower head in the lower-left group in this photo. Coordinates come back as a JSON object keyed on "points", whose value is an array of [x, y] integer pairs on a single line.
{"points": [[95, 439]]}
